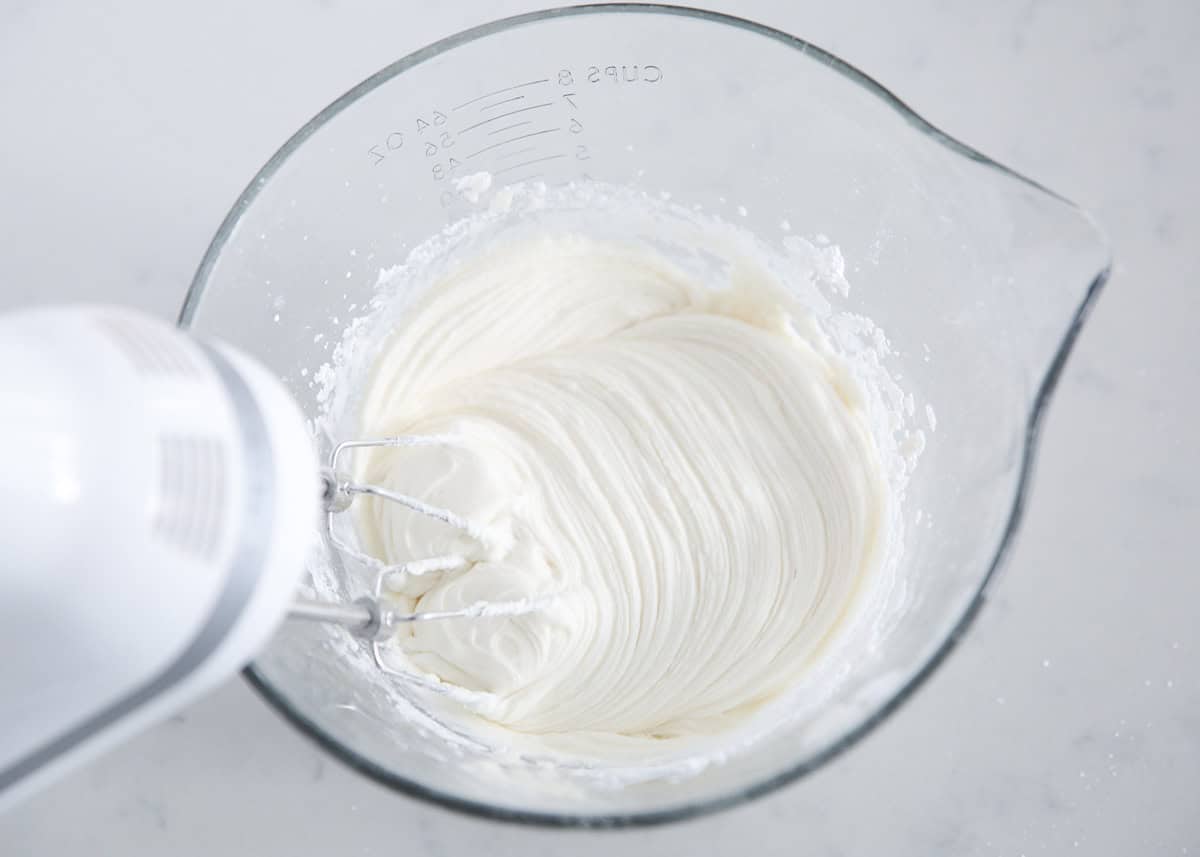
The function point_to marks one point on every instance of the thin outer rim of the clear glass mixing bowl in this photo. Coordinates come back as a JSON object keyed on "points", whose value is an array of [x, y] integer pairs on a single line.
{"points": [[280, 703]]}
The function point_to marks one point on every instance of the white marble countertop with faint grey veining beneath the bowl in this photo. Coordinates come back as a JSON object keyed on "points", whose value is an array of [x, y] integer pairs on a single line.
{"points": [[1070, 720]]}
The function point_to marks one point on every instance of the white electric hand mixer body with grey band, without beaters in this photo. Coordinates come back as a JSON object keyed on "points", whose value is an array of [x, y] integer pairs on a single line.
{"points": [[161, 496]]}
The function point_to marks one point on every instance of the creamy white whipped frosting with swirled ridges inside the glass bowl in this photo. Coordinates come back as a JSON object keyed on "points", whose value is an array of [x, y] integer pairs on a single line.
{"points": [[674, 490]]}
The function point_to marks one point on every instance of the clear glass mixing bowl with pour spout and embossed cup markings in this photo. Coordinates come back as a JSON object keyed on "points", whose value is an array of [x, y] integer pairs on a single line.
{"points": [[980, 278]]}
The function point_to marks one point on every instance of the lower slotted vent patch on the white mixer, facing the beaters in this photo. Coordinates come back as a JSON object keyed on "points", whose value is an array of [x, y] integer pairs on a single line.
{"points": [[193, 489]]}
